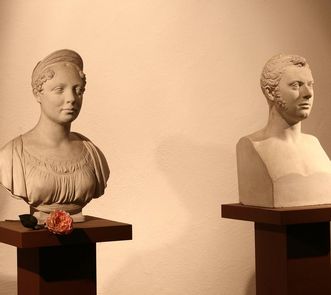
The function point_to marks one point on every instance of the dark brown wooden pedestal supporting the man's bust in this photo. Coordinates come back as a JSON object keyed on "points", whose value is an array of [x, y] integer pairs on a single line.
{"points": [[292, 248]]}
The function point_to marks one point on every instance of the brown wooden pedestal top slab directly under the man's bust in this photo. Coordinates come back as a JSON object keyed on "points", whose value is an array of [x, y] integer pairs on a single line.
{"points": [[279, 216]]}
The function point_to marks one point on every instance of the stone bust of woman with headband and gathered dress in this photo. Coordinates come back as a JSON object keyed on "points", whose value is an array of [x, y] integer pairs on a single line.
{"points": [[50, 167]]}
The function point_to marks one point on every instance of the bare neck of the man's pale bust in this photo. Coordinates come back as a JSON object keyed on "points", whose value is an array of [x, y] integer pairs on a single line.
{"points": [[278, 127]]}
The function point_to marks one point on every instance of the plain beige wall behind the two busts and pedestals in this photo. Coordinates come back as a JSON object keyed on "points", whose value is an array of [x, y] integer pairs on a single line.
{"points": [[172, 85]]}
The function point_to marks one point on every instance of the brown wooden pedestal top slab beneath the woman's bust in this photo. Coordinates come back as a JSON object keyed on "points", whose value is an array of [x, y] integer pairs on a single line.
{"points": [[93, 230]]}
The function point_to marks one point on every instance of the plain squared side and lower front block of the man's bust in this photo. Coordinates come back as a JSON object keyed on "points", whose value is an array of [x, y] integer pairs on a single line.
{"points": [[258, 188]]}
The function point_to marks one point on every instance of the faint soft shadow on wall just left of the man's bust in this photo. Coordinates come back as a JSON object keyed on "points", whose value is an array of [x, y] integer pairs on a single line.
{"points": [[200, 174]]}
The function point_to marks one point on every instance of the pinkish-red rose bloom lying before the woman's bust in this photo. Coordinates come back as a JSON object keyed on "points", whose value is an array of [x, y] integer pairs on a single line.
{"points": [[59, 222]]}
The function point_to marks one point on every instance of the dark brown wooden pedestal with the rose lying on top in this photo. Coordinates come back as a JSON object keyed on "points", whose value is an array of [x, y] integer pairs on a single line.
{"points": [[49, 264]]}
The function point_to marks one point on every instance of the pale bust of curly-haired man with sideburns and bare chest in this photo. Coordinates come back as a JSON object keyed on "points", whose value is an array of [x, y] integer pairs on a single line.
{"points": [[279, 166]]}
